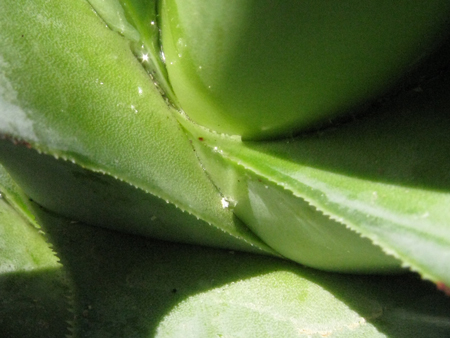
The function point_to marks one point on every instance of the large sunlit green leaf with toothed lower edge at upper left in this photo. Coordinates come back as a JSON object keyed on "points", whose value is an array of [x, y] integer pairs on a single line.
{"points": [[71, 87]]}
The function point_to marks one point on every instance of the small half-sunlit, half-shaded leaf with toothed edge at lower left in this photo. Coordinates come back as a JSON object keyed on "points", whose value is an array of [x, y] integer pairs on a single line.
{"points": [[33, 284]]}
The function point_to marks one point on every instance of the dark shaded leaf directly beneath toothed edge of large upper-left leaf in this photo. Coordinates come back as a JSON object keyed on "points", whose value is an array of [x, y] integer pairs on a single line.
{"points": [[102, 200]]}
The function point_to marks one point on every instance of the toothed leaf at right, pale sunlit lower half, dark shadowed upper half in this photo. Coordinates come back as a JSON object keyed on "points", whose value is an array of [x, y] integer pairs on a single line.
{"points": [[294, 164]]}
